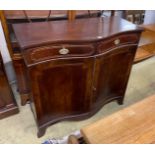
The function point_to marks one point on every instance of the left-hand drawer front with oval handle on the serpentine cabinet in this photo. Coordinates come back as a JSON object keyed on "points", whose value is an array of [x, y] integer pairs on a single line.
{"points": [[58, 51]]}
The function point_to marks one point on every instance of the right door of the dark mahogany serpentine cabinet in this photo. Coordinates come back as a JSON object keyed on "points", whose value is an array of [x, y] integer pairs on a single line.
{"points": [[112, 71]]}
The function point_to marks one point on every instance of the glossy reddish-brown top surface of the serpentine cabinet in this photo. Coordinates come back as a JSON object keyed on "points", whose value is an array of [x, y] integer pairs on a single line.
{"points": [[80, 30]]}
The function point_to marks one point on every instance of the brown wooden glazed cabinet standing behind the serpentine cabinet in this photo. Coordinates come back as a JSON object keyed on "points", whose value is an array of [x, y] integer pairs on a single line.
{"points": [[8, 17]]}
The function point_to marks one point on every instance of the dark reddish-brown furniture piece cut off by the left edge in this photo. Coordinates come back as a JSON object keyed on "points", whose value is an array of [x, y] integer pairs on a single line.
{"points": [[8, 104]]}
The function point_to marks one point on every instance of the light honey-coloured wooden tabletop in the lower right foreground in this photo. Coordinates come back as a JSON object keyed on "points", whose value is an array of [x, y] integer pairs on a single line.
{"points": [[132, 125]]}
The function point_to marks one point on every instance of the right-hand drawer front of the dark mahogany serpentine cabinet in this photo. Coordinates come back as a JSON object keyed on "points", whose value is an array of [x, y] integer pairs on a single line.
{"points": [[117, 41]]}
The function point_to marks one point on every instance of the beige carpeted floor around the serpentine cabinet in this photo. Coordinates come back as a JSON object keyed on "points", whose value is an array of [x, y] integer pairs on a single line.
{"points": [[21, 128]]}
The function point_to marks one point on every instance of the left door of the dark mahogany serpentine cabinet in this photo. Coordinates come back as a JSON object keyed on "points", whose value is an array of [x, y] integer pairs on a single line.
{"points": [[61, 88]]}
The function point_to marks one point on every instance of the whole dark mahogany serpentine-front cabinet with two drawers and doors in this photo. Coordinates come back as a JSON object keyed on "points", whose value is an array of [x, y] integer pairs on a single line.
{"points": [[76, 67]]}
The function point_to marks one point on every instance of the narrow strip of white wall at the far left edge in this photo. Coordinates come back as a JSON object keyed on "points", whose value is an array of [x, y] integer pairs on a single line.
{"points": [[3, 46]]}
